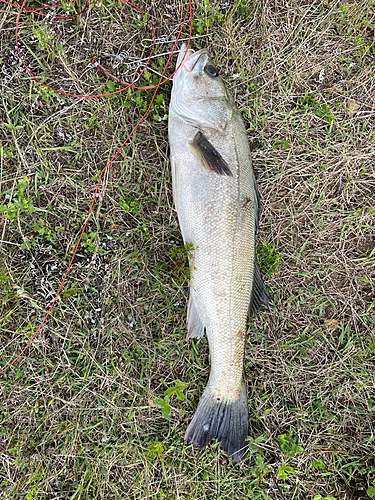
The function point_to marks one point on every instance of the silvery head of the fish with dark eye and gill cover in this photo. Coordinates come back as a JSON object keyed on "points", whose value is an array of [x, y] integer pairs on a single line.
{"points": [[199, 95]]}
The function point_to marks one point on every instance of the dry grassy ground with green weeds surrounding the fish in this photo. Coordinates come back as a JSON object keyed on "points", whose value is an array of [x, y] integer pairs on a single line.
{"points": [[85, 412]]}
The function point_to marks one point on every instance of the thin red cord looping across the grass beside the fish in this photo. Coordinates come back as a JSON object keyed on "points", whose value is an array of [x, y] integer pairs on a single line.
{"points": [[127, 85]]}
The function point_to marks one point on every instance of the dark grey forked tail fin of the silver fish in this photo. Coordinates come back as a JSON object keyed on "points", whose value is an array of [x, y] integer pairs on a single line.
{"points": [[228, 421]]}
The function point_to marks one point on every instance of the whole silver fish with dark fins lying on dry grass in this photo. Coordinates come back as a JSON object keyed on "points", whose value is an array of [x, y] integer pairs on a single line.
{"points": [[217, 202]]}
